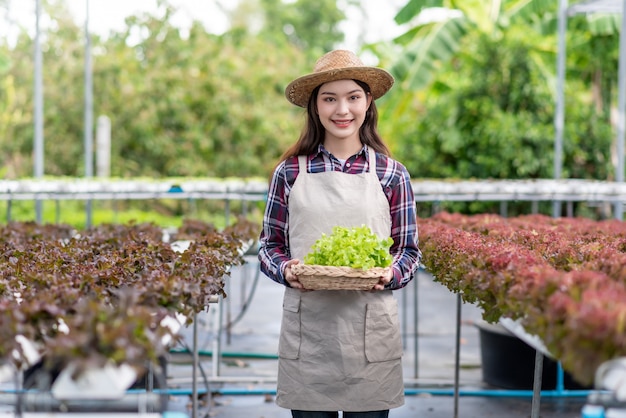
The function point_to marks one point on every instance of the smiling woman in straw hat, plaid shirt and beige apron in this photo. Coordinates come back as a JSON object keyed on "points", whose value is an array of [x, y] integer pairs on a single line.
{"points": [[339, 350]]}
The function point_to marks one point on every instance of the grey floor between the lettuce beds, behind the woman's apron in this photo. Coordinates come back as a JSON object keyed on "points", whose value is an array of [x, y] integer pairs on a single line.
{"points": [[242, 383]]}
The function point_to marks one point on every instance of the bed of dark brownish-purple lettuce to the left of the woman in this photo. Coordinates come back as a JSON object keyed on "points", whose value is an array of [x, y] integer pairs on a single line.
{"points": [[110, 296]]}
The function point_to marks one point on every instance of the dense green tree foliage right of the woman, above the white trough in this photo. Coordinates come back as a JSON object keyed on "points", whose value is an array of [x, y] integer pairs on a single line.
{"points": [[477, 91]]}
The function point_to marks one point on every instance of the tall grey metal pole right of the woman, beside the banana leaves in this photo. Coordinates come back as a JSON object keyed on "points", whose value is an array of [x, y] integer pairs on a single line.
{"points": [[559, 117]]}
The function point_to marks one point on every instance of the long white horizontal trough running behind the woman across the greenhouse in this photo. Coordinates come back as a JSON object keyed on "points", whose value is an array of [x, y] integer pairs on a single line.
{"points": [[256, 190]]}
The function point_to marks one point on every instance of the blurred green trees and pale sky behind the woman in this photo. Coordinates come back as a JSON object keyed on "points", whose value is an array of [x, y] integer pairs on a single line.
{"points": [[196, 88]]}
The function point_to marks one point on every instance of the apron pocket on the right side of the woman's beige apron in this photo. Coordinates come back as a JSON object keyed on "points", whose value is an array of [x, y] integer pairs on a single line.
{"points": [[382, 332]]}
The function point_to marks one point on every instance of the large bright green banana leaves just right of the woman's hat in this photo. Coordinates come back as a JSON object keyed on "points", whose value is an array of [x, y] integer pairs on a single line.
{"points": [[435, 33]]}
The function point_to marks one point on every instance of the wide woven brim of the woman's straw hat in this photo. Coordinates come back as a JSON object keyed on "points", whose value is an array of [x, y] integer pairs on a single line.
{"points": [[300, 89]]}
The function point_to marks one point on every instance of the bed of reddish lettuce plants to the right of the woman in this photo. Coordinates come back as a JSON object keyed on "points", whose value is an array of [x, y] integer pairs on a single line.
{"points": [[564, 279]]}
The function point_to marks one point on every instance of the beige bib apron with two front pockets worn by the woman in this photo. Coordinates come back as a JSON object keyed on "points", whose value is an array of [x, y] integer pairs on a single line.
{"points": [[339, 350]]}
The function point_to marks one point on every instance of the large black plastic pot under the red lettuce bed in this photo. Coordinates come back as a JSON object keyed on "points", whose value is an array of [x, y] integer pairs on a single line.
{"points": [[508, 362]]}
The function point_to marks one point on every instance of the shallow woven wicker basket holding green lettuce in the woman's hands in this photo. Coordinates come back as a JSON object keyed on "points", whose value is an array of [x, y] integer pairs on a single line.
{"points": [[337, 278]]}
